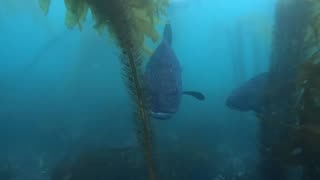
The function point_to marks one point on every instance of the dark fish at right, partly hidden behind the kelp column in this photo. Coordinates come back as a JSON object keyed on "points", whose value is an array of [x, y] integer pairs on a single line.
{"points": [[250, 96]]}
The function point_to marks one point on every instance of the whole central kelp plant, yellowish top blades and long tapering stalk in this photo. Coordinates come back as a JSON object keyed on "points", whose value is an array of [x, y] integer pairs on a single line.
{"points": [[128, 23]]}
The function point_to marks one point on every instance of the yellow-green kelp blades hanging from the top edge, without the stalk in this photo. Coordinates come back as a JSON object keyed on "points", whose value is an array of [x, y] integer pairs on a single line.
{"points": [[144, 15]]}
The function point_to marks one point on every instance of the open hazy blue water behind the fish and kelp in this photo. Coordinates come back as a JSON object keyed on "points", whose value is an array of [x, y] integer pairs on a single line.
{"points": [[62, 90]]}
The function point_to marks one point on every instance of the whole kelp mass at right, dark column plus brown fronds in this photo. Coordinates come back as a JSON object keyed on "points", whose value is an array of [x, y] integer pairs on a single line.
{"points": [[296, 39]]}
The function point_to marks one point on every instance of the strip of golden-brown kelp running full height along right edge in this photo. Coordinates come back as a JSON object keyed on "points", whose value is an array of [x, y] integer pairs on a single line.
{"points": [[308, 107]]}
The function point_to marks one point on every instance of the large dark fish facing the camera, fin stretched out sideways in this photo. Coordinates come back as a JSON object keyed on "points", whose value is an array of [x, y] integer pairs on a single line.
{"points": [[164, 80]]}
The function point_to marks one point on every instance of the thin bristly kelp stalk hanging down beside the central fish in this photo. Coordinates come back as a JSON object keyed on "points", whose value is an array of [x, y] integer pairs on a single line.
{"points": [[132, 62]]}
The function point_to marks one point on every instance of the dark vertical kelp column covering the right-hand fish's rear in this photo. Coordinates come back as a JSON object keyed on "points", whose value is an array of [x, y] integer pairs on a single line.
{"points": [[288, 52]]}
